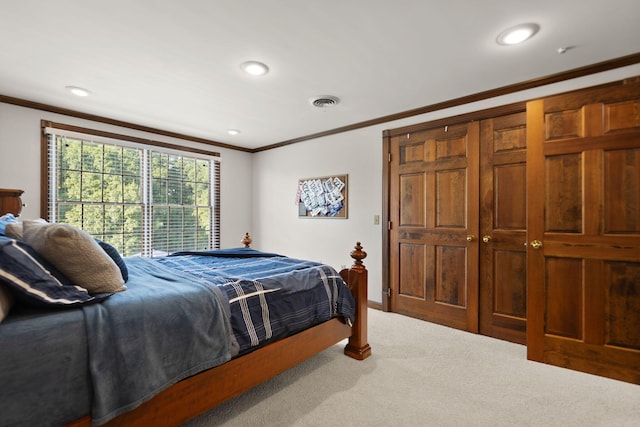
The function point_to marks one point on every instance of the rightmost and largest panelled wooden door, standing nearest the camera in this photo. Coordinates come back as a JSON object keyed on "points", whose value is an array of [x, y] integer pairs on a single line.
{"points": [[583, 169]]}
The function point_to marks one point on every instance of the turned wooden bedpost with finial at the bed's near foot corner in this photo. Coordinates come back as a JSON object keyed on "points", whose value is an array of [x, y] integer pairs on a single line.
{"points": [[356, 278]]}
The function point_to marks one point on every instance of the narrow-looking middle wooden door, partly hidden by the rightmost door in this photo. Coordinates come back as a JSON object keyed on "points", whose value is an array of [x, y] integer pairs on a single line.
{"points": [[503, 228]]}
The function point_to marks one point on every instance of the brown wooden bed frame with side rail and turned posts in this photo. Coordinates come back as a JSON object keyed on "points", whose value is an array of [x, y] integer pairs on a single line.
{"points": [[205, 390]]}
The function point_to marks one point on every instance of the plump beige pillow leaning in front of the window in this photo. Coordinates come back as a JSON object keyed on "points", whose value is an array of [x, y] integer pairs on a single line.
{"points": [[76, 254]]}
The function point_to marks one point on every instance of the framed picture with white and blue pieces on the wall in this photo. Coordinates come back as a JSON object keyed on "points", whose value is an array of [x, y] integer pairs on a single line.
{"points": [[323, 197]]}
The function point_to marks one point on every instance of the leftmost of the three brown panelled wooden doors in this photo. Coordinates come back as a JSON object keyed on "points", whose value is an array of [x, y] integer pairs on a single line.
{"points": [[433, 264]]}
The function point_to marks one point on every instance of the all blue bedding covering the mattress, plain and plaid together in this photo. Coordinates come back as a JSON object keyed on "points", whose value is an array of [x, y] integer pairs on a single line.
{"points": [[180, 315]]}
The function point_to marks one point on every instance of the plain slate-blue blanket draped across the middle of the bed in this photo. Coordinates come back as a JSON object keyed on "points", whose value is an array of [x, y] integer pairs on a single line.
{"points": [[163, 328]]}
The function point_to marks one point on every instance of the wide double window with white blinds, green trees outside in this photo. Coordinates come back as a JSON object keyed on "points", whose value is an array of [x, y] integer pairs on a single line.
{"points": [[144, 200]]}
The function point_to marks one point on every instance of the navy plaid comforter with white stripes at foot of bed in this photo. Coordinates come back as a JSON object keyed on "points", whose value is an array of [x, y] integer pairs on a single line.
{"points": [[270, 296]]}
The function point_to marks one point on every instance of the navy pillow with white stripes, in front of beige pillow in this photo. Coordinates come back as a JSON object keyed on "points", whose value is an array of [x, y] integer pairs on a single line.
{"points": [[22, 272]]}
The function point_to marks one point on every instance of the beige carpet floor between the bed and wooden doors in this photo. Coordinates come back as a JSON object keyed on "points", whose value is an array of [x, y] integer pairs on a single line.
{"points": [[422, 374]]}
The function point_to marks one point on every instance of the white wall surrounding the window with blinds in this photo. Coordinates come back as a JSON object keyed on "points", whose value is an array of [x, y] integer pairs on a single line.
{"points": [[20, 166]]}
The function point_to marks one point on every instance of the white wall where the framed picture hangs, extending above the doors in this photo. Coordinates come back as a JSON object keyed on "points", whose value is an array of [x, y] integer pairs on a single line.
{"points": [[358, 153]]}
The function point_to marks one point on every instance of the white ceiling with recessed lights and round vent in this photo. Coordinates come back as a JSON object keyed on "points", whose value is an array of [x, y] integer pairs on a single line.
{"points": [[175, 65]]}
